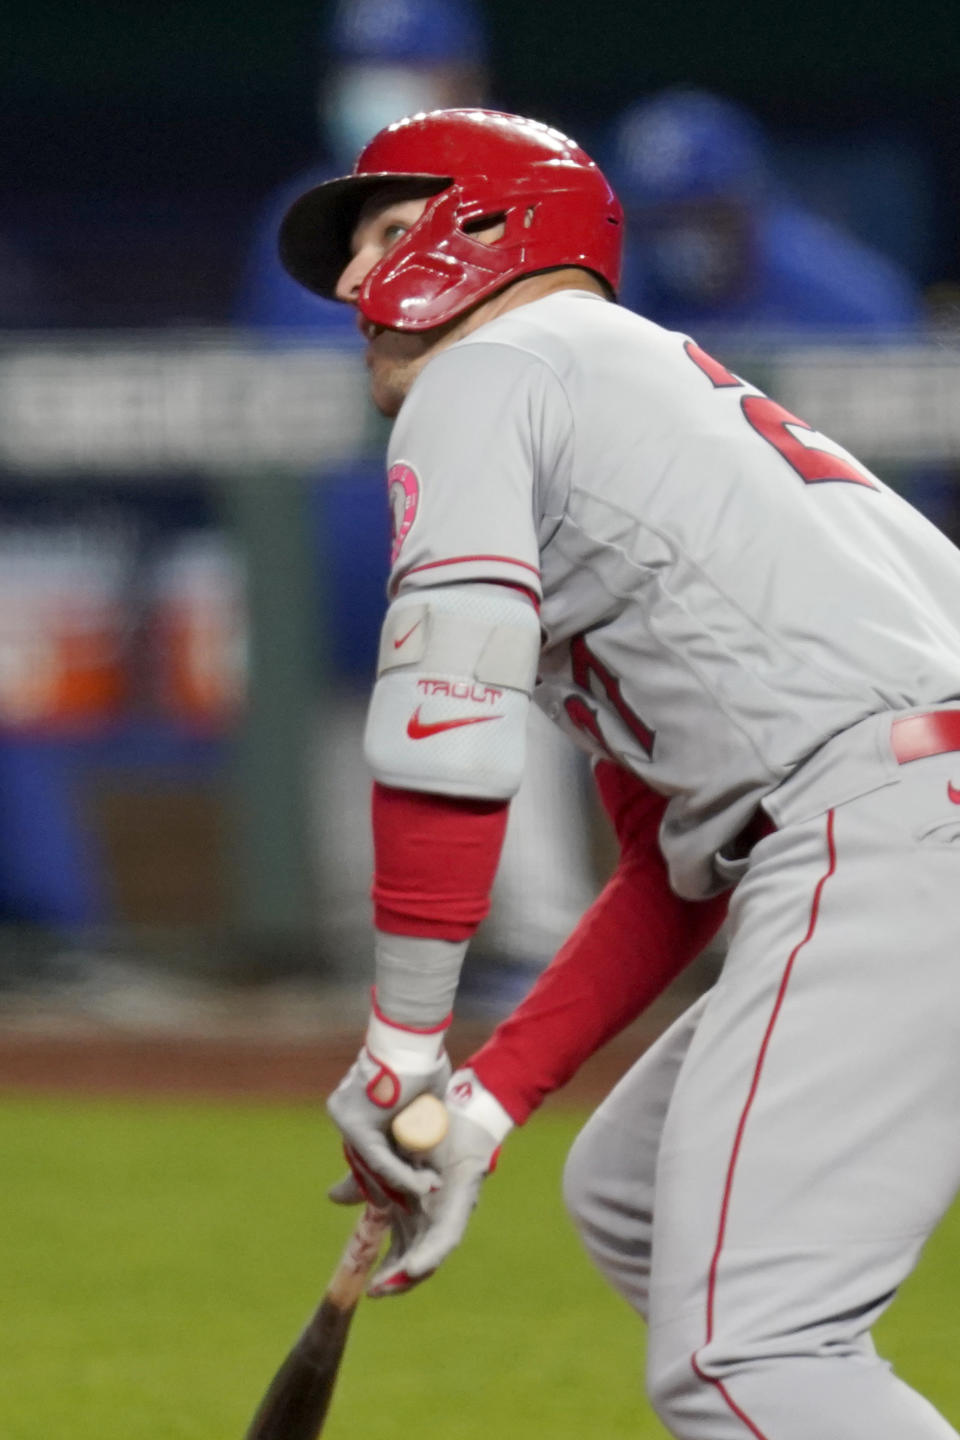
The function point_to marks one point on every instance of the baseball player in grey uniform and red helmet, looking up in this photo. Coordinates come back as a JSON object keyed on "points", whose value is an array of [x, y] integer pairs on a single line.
{"points": [[759, 644]]}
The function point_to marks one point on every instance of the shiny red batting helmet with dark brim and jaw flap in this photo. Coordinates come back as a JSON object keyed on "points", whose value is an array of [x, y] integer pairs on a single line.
{"points": [[481, 166]]}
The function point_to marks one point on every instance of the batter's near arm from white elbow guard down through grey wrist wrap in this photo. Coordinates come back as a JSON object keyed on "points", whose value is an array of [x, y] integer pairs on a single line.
{"points": [[445, 741]]}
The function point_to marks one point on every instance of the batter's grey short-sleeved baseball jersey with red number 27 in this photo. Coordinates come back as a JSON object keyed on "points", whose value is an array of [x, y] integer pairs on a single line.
{"points": [[723, 590]]}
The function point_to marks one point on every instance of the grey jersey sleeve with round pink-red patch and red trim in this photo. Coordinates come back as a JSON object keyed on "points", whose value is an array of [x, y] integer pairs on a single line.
{"points": [[473, 440]]}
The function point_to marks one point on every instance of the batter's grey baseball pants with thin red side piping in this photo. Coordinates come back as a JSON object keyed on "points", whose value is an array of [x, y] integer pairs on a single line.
{"points": [[764, 1180]]}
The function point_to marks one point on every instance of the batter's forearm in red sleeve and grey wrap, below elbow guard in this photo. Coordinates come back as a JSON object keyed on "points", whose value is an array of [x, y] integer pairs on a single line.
{"points": [[435, 865]]}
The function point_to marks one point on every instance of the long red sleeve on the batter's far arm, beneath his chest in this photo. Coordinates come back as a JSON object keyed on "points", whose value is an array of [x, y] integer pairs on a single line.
{"points": [[627, 950]]}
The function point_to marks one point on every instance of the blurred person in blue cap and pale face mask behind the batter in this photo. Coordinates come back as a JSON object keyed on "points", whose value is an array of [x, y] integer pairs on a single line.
{"points": [[385, 60]]}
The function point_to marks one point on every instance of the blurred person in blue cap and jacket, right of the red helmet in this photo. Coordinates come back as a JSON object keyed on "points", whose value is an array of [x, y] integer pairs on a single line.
{"points": [[713, 238]]}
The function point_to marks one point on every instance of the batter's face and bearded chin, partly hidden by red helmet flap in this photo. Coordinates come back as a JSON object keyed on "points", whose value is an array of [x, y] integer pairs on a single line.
{"points": [[394, 358]]}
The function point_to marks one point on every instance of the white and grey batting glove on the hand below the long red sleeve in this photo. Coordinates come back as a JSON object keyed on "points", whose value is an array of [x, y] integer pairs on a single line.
{"points": [[479, 1128]]}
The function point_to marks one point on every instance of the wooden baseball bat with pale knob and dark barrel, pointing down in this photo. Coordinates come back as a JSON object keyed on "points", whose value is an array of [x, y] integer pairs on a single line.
{"points": [[299, 1398]]}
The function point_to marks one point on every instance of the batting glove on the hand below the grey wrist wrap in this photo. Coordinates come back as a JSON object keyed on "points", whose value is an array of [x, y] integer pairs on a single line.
{"points": [[394, 1066]]}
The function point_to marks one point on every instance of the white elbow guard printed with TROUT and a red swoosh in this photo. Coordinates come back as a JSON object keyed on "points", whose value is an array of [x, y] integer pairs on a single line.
{"points": [[456, 675]]}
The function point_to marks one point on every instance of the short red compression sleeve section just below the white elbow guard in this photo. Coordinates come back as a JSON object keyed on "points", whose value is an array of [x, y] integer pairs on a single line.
{"points": [[435, 862]]}
